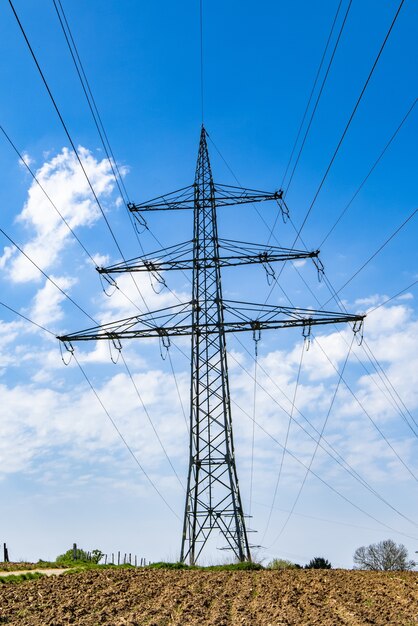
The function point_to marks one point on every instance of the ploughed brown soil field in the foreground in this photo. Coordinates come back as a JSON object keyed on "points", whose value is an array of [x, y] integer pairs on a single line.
{"points": [[265, 598]]}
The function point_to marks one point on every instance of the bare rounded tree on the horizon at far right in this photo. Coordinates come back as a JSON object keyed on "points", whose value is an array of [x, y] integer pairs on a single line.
{"points": [[385, 555]]}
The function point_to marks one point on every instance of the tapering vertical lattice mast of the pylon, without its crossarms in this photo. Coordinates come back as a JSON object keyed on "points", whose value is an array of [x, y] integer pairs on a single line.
{"points": [[213, 499]]}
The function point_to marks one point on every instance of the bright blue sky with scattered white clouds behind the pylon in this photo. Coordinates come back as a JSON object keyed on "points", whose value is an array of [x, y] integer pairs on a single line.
{"points": [[65, 474]]}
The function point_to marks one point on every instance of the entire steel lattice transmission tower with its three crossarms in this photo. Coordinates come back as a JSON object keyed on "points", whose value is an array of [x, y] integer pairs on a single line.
{"points": [[213, 501]]}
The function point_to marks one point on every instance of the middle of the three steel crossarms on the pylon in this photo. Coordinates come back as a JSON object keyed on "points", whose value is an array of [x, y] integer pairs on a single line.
{"points": [[232, 253]]}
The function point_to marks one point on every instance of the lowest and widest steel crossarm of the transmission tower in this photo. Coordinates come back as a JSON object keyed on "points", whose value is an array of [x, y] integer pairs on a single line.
{"points": [[238, 317]]}
